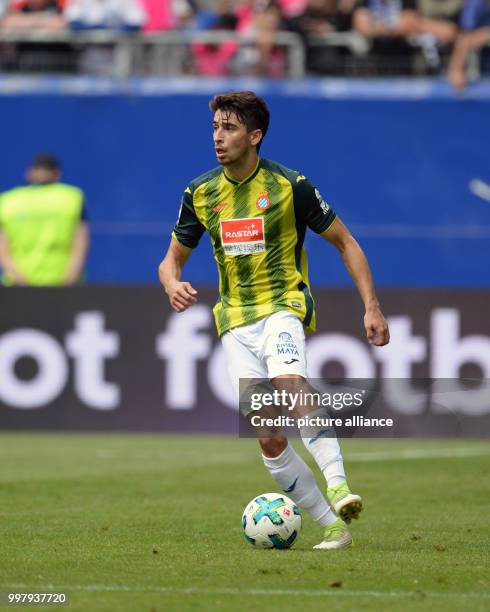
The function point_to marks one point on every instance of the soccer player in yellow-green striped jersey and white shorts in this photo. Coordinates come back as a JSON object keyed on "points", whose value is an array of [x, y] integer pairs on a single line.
{"points": [[257, 212]]}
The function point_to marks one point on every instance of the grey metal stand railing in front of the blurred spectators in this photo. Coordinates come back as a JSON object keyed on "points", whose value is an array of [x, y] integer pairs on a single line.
{"points": [[122, 55]]}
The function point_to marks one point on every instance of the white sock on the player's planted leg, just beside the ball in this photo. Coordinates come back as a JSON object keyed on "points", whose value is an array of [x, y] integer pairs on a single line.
{"points": [[289, 470]]}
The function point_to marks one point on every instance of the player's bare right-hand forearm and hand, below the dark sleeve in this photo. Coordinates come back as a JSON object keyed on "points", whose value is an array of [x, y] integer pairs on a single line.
{"points": [[356, 263]]}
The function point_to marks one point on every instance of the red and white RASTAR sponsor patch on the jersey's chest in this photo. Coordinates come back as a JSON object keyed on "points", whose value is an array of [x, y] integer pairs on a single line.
{"points": [[243, 236]]}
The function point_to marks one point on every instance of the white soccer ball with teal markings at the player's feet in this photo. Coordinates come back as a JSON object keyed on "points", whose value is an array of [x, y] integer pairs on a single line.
{"points": [[271, 520]]}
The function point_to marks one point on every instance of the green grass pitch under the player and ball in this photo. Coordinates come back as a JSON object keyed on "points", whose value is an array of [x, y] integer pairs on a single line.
{"points": [[149, 523]]}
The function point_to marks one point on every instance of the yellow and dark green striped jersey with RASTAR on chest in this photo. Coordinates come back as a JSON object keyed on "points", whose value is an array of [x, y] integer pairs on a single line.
{"points": [[257, 229]]}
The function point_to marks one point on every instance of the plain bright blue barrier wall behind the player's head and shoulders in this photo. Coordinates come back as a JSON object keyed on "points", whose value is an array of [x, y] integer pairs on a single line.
{"points": [[405, 164]]}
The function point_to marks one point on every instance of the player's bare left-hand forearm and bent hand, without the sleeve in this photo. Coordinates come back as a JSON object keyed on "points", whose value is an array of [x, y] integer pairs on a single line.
{"points": [[180, 294]]}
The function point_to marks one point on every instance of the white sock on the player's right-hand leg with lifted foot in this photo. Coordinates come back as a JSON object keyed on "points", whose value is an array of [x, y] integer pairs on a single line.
{"points": [[326, 452]]}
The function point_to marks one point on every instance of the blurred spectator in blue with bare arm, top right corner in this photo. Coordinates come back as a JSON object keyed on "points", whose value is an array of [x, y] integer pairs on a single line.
{"points": [[475, 35]]}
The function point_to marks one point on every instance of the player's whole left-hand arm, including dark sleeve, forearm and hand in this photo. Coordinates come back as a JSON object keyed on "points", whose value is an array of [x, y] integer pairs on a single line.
{"points": [[185, 237]]}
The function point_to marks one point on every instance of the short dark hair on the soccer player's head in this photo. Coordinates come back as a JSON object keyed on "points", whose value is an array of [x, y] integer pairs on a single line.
{"points": [[250, 109]]}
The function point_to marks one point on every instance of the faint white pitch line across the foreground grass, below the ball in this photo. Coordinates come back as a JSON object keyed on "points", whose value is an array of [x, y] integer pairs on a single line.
{"points": [[93, 588]]}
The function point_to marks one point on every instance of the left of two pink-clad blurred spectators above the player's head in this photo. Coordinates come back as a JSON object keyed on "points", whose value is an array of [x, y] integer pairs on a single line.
{"points": [[214, 59]]}
